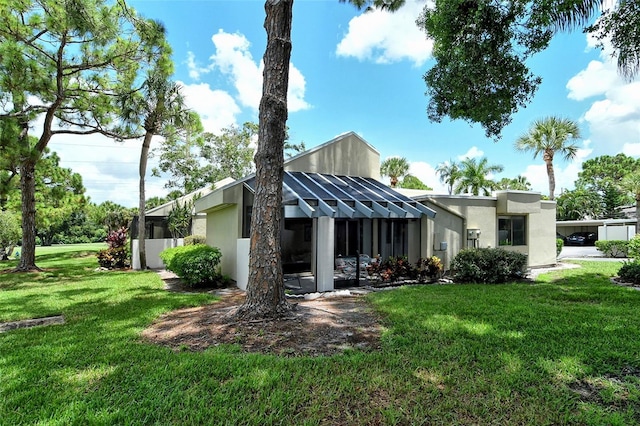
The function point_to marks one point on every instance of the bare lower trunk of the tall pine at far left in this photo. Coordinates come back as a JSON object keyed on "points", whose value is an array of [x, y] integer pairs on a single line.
{"points": [[28, 189]]}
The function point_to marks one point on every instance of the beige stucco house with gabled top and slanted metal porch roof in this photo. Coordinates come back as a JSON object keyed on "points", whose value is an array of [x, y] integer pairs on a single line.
{"points": [[335, 206]]}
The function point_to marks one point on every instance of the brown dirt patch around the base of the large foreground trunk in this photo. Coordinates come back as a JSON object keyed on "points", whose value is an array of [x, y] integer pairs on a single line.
{"points": [[322, 326]]}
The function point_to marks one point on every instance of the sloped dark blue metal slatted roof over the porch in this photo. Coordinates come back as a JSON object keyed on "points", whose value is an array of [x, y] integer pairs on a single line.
{"points": [[315, 194]]}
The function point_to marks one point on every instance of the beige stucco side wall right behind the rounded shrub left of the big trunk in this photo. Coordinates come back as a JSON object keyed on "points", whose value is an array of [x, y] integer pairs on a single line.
{"points": [[222, 232]]}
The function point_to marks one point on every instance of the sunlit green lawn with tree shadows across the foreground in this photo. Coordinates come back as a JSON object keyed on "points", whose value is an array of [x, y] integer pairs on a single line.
{"points": [[565, 350]]}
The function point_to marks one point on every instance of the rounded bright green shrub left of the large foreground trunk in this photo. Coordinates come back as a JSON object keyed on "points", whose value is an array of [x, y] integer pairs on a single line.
{"points": [[196, 265]]}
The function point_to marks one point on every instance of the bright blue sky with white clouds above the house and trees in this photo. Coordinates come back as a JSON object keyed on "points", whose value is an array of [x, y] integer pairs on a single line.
{"points": [[362, 72]]}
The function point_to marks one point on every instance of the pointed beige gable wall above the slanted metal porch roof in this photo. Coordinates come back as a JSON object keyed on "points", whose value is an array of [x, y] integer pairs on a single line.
{"points": [[345, 155]]}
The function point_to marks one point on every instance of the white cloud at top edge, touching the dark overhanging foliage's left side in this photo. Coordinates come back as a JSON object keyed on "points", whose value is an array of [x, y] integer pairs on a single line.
{"points": [[385, 37]]}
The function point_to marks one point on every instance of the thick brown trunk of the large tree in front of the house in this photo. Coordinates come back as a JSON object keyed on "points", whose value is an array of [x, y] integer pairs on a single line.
{"points": [[265, 289]]}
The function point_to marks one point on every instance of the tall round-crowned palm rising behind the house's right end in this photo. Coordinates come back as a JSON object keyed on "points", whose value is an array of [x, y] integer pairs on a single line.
{"points": [[547, 137]]}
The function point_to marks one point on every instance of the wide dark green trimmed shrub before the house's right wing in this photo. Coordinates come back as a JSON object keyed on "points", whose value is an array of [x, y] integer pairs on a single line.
{"points": [[488, 266]]}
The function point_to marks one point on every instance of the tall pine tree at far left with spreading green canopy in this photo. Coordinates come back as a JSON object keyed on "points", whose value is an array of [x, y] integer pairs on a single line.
{"points": [[65, 60]]}
